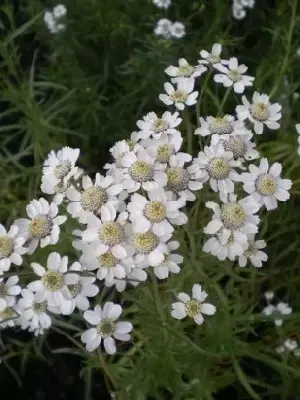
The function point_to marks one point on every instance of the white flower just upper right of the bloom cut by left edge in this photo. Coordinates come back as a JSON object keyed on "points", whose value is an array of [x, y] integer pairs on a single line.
{"points": [[43, 225]]}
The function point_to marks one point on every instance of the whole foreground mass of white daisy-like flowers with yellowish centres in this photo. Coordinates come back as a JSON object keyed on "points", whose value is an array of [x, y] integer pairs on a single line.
{"points": [[128, 217]]}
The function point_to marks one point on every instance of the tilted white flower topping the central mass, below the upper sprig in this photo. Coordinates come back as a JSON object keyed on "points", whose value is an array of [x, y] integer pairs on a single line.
{"points": [[153, 126]]}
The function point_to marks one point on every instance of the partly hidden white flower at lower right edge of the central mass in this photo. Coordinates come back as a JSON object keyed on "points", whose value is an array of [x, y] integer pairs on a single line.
{"points": [[170, 263]]}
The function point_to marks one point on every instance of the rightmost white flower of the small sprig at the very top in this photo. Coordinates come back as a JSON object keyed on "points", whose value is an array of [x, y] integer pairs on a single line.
{"points": [[233, 75]]}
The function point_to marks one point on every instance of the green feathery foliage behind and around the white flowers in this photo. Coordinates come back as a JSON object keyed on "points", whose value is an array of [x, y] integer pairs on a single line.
{"points": [[87, 87]]}
